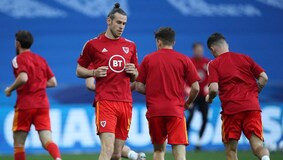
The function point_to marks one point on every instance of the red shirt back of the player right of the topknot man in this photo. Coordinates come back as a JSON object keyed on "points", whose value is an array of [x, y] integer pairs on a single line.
{"points": [[164, 73]]}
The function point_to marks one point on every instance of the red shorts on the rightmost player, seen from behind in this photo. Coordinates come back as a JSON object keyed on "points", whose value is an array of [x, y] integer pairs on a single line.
{"points": [[249, 122]]}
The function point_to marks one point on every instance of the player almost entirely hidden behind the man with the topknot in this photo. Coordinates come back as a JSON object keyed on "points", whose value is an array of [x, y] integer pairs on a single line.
{"points": [[127, 152]]}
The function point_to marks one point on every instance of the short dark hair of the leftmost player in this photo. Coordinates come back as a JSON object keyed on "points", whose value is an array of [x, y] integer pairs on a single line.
{"points": [[25, 38]]}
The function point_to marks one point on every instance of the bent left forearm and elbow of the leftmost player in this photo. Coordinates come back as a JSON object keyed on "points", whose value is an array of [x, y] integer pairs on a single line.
{"points": [[21, 79]]}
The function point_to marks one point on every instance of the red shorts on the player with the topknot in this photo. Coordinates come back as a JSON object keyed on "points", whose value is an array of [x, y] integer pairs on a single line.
{"points": [[113, 117]]}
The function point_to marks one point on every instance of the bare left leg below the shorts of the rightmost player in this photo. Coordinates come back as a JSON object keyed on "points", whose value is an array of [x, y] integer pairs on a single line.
{"points": [[231, 149]]}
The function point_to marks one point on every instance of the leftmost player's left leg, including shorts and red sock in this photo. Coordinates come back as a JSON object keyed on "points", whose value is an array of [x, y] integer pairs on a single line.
{"points": [[21, 126]]}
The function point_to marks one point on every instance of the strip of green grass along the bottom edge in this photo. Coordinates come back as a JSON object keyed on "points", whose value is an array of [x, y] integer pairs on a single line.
{"points": [[213, 155]]}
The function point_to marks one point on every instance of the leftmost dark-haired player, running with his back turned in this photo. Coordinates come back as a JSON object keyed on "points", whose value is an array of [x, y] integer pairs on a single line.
{"points": [[33, 76]]}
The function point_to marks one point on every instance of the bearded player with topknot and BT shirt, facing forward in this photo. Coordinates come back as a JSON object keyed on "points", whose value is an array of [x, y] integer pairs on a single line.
{"points": [[115, 62]]}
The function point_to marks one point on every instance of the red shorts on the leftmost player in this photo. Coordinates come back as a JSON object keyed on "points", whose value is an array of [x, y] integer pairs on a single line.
{"points": [[39, 117]]}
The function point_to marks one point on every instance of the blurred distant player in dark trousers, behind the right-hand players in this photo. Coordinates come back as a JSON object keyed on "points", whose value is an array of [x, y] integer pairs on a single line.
{"points": [[200, 63]]}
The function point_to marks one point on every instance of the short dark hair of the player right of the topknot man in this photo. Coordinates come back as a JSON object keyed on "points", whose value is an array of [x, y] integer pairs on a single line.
{"points": [[166, 35]]}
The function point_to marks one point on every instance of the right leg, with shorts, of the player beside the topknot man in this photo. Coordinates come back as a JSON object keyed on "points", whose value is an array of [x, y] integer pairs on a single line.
{"points": [[177, 136]]}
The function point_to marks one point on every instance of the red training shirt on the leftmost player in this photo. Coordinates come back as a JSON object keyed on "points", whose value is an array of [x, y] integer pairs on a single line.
{"points": [[33, 93]]}
